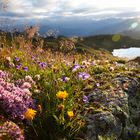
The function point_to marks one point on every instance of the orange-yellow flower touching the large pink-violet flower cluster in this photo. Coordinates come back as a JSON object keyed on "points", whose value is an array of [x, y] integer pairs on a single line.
{"points": [[30, 114]]}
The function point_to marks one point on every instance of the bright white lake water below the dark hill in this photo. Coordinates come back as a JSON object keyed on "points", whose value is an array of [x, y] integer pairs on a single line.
{"points": [[129, 53]]}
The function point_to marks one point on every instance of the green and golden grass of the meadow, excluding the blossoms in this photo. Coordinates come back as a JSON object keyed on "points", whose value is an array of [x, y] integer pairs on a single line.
{"points": [[102, 67]]}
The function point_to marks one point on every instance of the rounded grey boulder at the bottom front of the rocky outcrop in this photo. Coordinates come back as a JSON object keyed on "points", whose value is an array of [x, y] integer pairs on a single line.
{"points": [[103, 123]]}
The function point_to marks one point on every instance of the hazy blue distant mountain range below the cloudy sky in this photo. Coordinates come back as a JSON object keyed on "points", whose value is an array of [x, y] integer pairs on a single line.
{"points": [[84, 27]]}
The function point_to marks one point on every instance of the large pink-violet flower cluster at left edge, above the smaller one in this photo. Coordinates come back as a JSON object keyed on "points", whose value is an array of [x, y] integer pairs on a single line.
{"points": [[15, 100]]}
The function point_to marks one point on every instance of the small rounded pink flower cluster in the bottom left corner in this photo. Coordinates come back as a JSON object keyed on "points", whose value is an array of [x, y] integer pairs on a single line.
{"points": [[11, 129]]}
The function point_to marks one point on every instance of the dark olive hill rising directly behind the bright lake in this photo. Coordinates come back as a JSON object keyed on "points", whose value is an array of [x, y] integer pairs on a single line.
{"points": [[105, 42]]}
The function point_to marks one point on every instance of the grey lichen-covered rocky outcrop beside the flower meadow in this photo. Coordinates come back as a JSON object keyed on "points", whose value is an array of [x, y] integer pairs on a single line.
{"points": [[119, 114]]}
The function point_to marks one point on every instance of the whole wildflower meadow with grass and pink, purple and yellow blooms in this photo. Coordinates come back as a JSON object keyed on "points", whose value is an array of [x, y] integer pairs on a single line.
{"points": [[44, 91]]}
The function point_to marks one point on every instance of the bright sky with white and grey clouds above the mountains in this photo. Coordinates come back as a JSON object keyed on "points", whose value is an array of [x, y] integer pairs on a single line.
{"points": [[62, 9]]}
